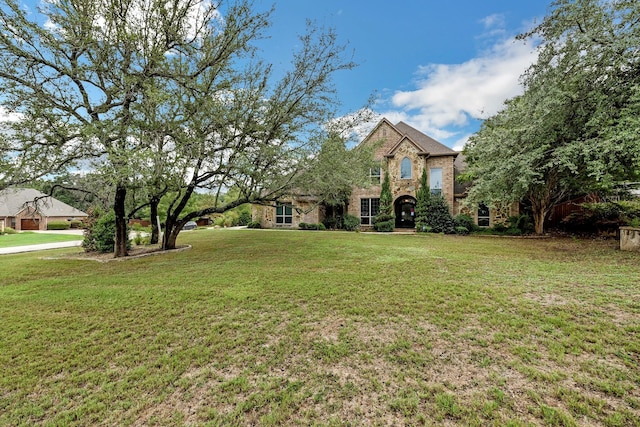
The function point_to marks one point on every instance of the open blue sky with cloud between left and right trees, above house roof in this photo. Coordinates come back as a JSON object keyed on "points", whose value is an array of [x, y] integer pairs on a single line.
{"points": [[440, 66]]}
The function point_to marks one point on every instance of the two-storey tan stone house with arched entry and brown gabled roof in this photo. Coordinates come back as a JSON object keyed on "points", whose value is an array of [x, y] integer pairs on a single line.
{"points": [[403, 152]]}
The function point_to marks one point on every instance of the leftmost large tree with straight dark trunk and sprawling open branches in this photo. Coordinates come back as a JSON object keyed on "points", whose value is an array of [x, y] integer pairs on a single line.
{"points": [[78, 81]]}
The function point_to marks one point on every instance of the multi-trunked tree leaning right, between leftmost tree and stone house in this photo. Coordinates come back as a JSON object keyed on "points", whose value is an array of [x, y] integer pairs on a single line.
{"points": [[257, 136]]}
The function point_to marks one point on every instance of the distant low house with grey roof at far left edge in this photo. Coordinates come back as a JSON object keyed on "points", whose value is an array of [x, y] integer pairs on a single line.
{"points": [[29, 209]]}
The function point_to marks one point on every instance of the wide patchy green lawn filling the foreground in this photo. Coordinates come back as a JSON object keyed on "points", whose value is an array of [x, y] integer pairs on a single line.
{"points": [[259, 327]]}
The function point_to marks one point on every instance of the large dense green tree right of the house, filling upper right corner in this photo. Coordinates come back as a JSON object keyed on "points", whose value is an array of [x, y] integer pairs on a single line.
{"points": [[575, 128]]}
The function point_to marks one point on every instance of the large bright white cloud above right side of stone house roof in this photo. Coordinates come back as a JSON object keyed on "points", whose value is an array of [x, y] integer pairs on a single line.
{"points": [[450, 94]]}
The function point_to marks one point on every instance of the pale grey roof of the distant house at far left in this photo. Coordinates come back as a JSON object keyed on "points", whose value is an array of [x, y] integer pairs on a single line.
{"points": [[14, 200]]}
